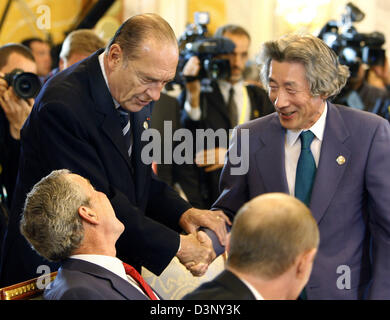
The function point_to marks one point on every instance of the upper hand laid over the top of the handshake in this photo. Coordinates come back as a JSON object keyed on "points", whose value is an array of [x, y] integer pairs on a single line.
{"points": [[194, 218]]}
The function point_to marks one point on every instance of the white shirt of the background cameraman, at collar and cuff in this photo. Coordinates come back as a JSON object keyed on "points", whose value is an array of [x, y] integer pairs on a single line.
{"points": [[240, 98]]}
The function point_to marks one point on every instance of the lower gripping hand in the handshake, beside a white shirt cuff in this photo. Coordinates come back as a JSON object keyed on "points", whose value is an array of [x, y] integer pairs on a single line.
{"points": [[196, 253]]}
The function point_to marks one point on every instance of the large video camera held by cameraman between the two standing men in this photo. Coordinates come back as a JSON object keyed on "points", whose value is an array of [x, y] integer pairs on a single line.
{"points": [[195, 42]]}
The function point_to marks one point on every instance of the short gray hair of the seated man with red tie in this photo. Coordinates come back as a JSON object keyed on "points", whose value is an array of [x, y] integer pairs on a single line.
{"points": [[50, 221]]}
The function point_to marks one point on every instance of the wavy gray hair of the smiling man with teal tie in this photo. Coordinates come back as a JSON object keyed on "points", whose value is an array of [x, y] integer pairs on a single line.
{"points": [[326, 76]]}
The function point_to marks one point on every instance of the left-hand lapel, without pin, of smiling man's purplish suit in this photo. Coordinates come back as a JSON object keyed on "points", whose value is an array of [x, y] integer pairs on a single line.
{"points": [[270, 157]]}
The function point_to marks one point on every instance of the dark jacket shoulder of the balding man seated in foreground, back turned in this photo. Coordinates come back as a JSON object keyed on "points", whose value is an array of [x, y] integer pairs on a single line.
{"points": [[226, 286]]}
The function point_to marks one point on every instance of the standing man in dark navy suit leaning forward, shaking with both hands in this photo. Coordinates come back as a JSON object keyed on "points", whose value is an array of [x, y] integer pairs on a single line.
{"points": [[89, 119]]}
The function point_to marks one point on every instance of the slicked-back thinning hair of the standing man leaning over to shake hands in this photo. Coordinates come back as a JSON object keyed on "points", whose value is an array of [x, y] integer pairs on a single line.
{"points": [[134, 32]]}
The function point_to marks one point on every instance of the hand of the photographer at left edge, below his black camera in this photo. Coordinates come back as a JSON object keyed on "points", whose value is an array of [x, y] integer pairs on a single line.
{"points": [[16, 109]]}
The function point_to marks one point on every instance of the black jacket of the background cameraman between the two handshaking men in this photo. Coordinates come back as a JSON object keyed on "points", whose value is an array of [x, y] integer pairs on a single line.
{"points": [[215, 116]]}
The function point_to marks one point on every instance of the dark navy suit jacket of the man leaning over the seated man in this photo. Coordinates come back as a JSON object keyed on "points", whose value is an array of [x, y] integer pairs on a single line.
{"points": [[74, 125]]}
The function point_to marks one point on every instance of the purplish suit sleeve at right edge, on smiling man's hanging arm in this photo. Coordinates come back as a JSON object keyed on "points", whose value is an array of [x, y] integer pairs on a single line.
{"points": [[378, 186]]}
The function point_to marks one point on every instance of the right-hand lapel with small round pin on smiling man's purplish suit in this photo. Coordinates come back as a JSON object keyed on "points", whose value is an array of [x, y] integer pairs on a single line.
{"points": [[329, 172]]}
